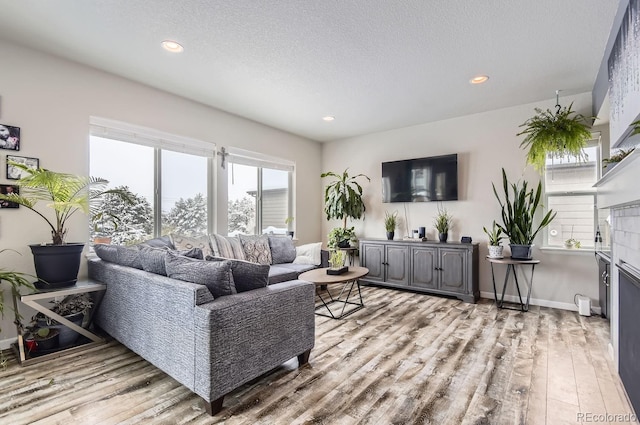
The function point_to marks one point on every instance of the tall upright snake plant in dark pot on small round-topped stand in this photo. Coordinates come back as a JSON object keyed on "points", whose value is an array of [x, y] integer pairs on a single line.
{"points": [[518, 213]]}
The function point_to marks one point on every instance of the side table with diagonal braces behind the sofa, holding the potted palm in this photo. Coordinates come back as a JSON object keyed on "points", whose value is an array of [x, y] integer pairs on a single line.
{"points": [[90, 338]]}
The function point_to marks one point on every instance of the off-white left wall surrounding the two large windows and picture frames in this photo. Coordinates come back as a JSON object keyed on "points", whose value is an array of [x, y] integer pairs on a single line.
{"points": [[51, 100]]}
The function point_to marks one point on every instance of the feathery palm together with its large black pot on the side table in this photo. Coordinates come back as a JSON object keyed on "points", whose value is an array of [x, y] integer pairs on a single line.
{"points": [[57, 264]]}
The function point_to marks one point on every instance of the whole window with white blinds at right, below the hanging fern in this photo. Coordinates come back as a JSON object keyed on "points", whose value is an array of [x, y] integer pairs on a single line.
{"points": [[570, 193]]}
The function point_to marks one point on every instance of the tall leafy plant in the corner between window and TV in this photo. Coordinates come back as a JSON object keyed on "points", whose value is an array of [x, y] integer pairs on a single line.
{"points": [[343, 197]]}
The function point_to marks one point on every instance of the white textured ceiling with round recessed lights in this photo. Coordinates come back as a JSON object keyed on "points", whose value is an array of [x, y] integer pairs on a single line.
{"points": [[373, 64]]}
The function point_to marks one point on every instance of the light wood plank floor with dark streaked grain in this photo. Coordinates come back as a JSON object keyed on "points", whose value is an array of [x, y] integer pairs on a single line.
{"points": [[405, 358]]}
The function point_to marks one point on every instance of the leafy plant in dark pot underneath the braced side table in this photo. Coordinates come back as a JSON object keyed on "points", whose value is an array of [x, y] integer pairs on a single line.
{"points": [[73, 308]]}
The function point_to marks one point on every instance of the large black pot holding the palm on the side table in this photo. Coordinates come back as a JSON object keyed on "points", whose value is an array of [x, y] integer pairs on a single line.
{"points": [[57, 266]]}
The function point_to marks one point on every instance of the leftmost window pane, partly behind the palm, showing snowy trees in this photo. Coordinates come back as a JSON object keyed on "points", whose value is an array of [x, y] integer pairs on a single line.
{"points": [[126, 166]]}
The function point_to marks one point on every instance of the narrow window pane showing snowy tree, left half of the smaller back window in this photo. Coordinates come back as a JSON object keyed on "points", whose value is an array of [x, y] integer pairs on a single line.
{"points": [[243, 193]]}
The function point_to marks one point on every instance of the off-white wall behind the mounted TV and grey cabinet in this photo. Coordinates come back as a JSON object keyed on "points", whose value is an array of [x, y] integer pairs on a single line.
{"points": [[485, 143]]}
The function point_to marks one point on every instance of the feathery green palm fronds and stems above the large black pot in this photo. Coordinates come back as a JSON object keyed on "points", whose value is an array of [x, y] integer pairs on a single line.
{"points": [[65, 193]]}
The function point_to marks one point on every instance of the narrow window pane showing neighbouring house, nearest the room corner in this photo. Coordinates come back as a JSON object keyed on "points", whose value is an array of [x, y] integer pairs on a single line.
{"points": [[275, 201]]}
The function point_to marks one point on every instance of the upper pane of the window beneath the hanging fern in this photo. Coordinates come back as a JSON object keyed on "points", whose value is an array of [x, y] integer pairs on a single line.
{"points": [[567, 174]]}
